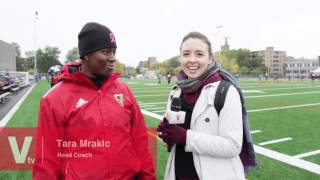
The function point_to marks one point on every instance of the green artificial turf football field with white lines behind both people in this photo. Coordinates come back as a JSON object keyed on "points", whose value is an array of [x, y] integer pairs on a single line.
{"points": [[288, 111]]}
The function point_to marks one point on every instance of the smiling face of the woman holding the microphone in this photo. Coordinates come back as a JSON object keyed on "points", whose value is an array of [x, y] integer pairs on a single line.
{"points": [[194, 57]]}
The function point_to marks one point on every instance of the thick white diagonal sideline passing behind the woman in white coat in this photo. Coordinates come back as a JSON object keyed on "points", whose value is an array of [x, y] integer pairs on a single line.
{"points": [[293, 161]]}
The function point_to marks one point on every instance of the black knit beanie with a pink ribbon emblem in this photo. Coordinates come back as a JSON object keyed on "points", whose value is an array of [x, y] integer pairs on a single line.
{"points": [[93, 37]]}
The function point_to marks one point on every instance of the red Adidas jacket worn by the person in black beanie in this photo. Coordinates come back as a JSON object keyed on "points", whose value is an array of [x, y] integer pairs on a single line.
{"points": [[89, 133]]}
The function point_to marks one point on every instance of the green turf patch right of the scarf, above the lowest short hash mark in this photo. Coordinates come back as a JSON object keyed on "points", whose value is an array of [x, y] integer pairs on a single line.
{"points": [[300, 124]]}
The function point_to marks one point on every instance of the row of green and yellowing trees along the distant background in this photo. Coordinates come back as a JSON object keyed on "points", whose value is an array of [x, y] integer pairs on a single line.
{"points": [[234, 61]]}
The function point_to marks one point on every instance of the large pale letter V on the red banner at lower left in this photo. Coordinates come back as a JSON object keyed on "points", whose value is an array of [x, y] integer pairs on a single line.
{"points": [[20, 157]]}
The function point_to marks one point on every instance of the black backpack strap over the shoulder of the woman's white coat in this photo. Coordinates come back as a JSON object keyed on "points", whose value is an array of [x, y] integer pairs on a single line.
{"points": [[221, 94]]}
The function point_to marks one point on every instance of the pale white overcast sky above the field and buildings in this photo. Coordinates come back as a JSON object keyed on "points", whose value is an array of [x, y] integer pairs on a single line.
{"points": [[145, 28]]}
